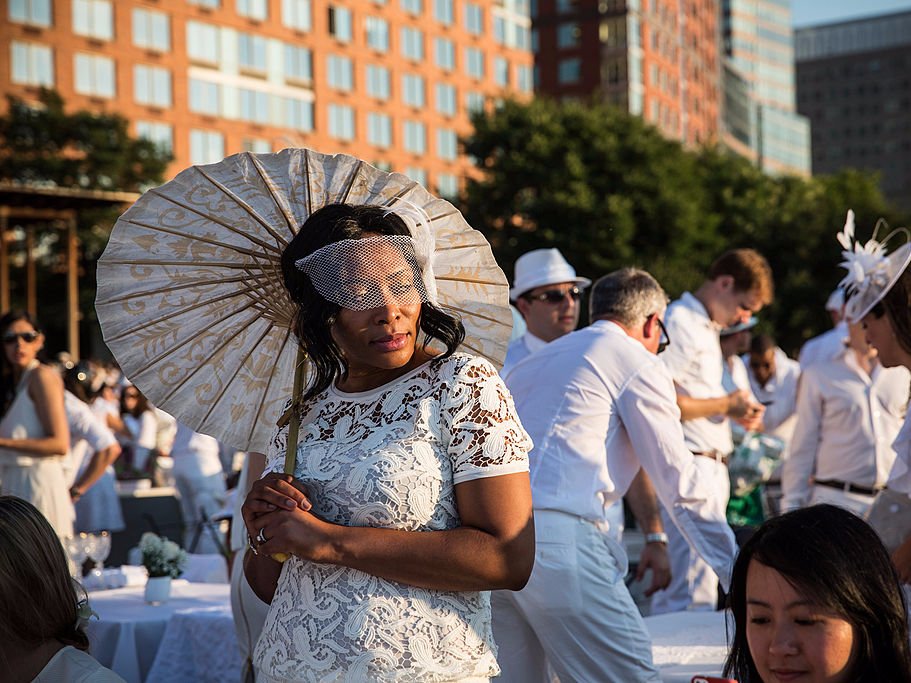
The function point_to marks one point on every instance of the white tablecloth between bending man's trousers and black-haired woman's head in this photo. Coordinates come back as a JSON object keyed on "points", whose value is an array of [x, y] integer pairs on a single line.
{"points": [[686, 644]]}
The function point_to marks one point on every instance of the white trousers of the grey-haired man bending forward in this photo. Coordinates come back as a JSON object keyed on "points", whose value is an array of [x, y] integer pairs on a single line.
{"points": [[575, 615]]}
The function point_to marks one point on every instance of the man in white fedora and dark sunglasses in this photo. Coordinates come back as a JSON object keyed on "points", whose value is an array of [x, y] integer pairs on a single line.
{"points": [[548, 294]]}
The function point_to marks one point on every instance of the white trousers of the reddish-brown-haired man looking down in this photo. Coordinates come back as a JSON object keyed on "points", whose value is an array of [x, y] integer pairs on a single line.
{"points": [[694, 585]]}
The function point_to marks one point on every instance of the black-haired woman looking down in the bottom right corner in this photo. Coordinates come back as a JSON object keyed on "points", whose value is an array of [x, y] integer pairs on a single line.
{"points": [[816, 598]]}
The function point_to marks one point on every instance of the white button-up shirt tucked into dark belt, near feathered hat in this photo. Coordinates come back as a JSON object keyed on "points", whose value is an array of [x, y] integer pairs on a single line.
{"points": [[846, 423]]}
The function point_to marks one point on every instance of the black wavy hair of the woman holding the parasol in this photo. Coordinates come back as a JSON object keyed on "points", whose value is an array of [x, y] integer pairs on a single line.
{"points": [[314, 315]]}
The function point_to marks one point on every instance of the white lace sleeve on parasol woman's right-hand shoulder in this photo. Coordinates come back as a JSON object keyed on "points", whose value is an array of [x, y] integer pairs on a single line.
{"points": [[486, 438]]}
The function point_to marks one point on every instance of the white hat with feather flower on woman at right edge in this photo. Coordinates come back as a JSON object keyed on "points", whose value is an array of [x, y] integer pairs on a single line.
{"points": [[871, 271]]}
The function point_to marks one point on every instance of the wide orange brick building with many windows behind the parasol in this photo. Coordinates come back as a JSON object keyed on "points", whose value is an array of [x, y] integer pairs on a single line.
{"points": [[390, 81]]}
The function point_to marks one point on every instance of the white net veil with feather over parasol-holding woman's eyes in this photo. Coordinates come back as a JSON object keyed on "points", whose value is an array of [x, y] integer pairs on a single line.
{"points": [[367, 273]]}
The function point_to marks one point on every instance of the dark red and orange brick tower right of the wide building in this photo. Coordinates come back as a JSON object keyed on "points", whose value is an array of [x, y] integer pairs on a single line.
{"points": [[655, 58]]}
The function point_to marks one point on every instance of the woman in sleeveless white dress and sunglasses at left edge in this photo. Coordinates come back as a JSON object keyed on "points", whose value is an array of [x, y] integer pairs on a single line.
{"points": [[34, 436]]}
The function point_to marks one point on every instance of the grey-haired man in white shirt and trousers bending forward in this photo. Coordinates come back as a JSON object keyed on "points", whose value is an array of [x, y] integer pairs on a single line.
{"points": [[599, 406]]}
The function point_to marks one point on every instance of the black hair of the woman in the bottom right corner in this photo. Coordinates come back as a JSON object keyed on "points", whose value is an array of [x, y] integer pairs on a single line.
{"points": [[837, 561]]}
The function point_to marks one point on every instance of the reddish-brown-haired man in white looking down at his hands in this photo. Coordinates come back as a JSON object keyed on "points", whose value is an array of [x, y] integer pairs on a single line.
{"points": [[738, 285]]}
